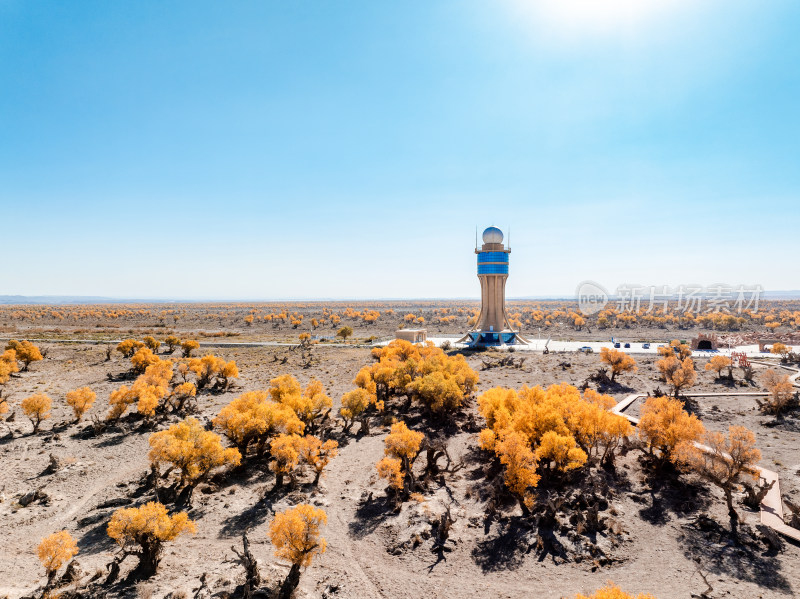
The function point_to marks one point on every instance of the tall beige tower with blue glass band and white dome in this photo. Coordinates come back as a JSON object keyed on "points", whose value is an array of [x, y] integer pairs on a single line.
{"points": [[492, 328]]}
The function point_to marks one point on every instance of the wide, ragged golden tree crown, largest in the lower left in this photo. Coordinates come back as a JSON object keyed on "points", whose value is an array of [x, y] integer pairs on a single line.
{"points": [[194, 451]]}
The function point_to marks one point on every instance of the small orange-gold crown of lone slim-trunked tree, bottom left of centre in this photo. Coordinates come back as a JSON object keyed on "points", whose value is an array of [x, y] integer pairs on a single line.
{"points": [[295, 533]]}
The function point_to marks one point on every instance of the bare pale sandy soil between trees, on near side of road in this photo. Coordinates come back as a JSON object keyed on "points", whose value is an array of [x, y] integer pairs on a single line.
{"points": [[373, 550]]}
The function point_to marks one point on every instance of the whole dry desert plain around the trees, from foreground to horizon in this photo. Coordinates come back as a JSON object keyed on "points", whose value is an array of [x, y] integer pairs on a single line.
{"points": [[666, 531]]}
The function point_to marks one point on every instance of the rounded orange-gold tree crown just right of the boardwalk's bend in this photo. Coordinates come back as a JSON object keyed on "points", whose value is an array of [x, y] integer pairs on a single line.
{"points": [[667, 427]]}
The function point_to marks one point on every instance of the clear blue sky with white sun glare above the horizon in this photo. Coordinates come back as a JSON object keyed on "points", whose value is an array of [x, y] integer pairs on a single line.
{"points": [[273, 150]]}
